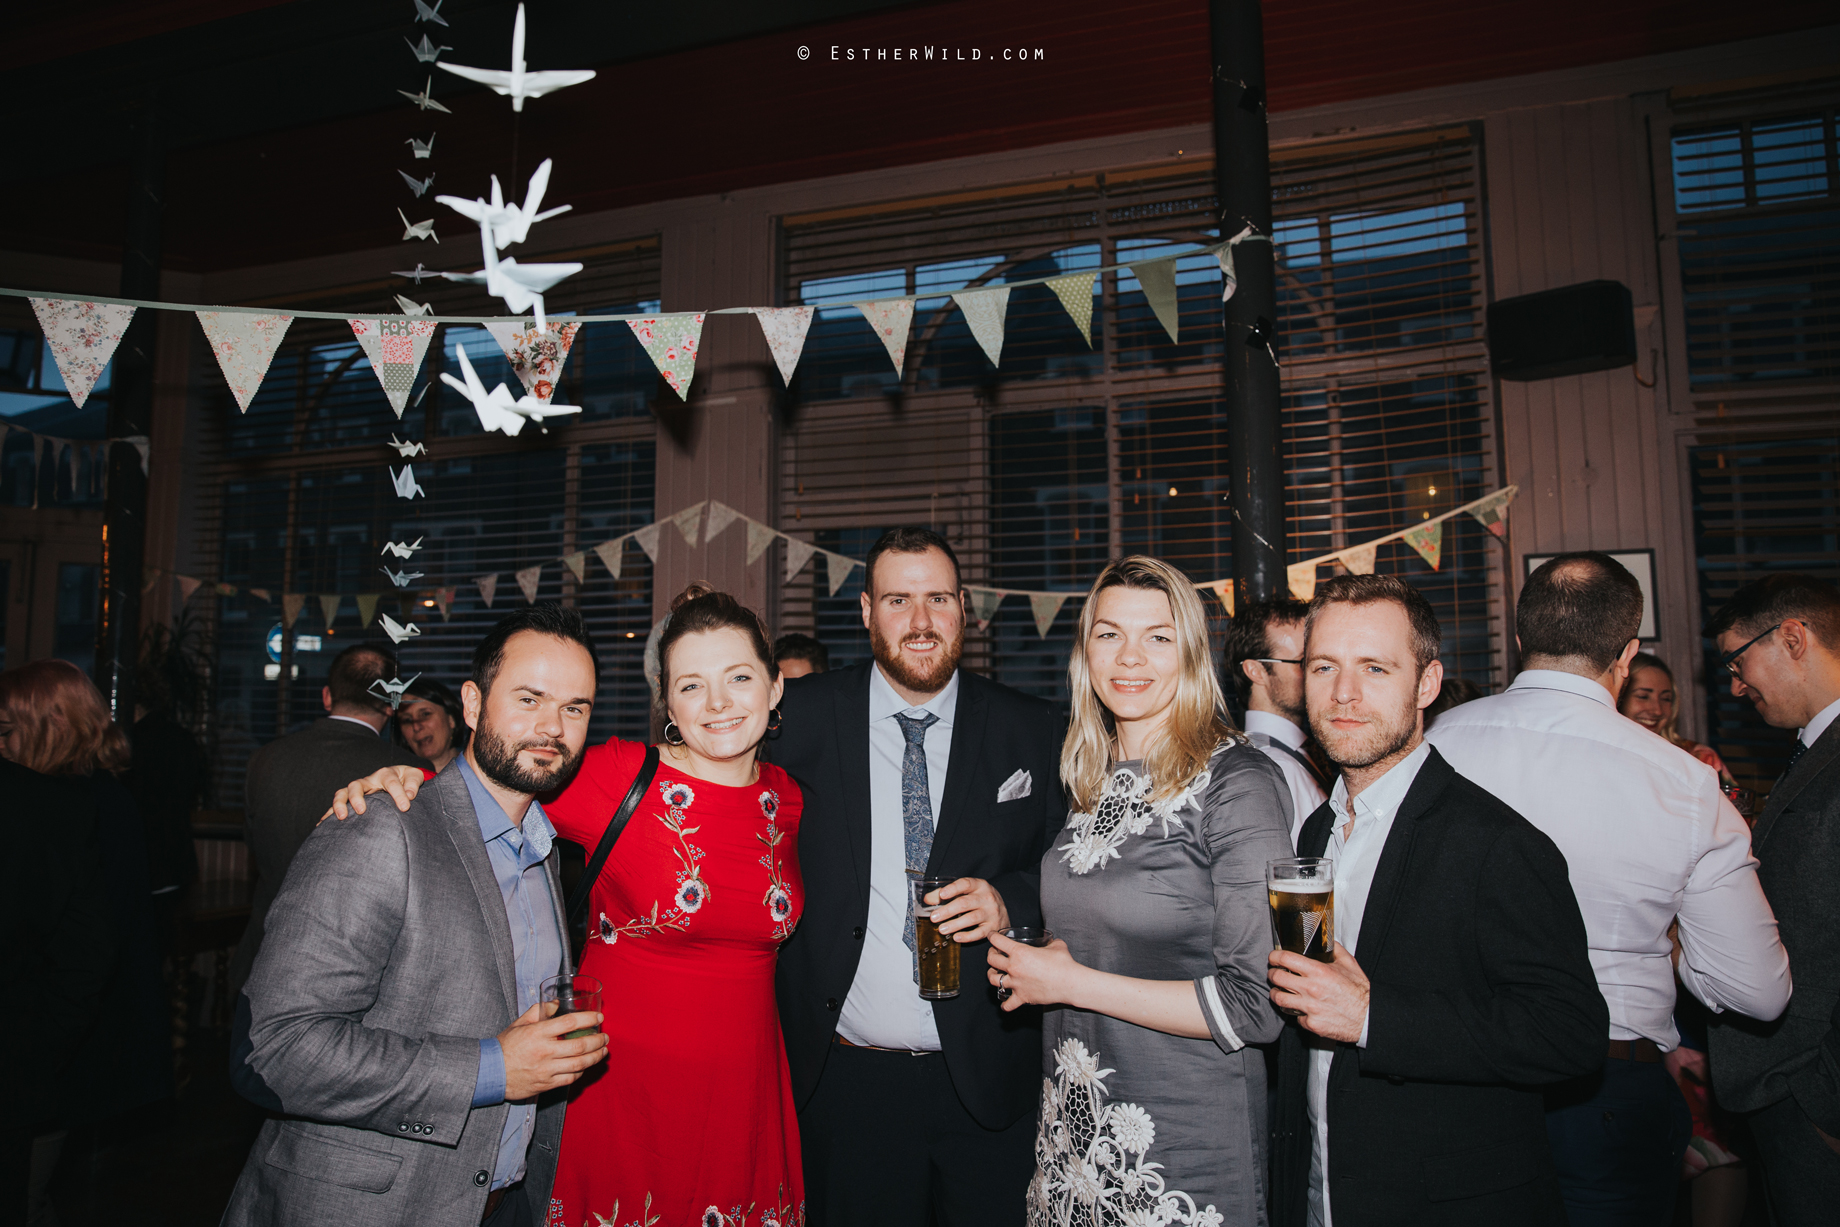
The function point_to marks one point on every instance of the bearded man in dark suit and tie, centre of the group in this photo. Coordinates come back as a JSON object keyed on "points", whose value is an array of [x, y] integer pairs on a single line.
{"points": [[914, 1112]]}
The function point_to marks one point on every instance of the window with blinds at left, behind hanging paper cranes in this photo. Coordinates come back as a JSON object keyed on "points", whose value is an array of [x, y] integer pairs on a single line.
{"points": [[299, 499]]}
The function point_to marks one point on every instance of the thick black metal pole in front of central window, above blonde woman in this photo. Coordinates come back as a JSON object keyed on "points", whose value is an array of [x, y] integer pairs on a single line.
{"points": [[1243, 185]]}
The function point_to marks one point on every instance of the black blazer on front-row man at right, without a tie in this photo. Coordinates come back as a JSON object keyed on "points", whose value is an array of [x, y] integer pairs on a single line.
{"points": [[1482, 989]]}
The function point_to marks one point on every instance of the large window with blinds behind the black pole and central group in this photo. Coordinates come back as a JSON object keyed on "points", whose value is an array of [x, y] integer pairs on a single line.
{"points": [[1070, 455]]}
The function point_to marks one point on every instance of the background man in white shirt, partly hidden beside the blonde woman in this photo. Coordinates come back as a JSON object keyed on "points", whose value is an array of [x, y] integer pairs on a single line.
{"points": [[1265, 667]]}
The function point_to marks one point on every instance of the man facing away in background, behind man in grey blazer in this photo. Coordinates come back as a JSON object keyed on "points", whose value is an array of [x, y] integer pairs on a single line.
{"points": [[292, 777]]}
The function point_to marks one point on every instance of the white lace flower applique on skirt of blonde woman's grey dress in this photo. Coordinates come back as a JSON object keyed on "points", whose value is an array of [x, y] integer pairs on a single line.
{"points": [[1092, 1158]]}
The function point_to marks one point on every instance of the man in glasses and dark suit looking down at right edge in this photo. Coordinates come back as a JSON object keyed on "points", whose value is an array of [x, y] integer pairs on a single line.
{"points": [[1782, 650]]}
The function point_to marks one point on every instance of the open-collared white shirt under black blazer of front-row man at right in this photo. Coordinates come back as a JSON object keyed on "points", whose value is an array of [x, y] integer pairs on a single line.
{"points": [[1357, 856]]}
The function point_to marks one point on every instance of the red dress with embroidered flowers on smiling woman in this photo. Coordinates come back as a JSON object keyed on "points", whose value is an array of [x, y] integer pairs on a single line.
{"points": [[691, 1118]]}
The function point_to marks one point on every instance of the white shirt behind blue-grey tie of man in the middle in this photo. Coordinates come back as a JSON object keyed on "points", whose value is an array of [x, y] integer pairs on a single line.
{"points": [[884, 1007]]}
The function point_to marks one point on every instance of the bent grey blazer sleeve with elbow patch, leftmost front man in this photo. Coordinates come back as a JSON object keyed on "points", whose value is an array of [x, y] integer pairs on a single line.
{"points": [[330, 937]]}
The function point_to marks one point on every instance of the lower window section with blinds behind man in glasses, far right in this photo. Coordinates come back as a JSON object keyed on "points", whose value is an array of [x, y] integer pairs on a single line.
{"points": [[1760, 509]]}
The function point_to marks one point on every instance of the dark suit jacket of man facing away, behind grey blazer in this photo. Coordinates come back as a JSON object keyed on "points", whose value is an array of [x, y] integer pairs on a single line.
{"points": [[292, 783]]}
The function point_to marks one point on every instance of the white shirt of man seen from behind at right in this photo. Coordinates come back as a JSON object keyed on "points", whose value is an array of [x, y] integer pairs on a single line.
{"points": [[1648, 838]]}
